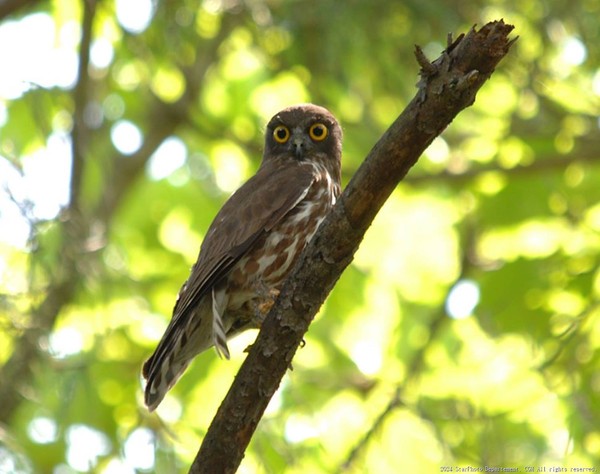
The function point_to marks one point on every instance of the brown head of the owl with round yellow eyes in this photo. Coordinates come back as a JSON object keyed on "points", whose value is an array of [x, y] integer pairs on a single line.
{"points": [[304, 132]]}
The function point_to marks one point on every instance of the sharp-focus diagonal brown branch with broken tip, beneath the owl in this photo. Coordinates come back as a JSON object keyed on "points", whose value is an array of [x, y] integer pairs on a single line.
{"points": [[447, 86]]}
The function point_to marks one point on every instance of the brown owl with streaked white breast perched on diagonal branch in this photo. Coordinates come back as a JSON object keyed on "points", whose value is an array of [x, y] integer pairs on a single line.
{"points": [[253, 243]]}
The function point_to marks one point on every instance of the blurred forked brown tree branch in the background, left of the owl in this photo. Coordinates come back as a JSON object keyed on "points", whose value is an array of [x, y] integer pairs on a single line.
{"points": [[163, 119]]}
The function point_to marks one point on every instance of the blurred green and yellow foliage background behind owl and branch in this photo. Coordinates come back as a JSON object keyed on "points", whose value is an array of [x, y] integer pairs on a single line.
{"points": [[466, 333]]}
